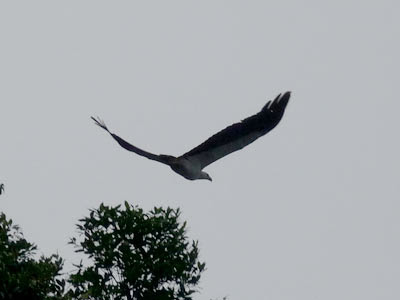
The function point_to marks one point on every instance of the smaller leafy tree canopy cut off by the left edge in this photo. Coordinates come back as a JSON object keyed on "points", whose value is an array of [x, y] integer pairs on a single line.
{"points": [[21, 276]]}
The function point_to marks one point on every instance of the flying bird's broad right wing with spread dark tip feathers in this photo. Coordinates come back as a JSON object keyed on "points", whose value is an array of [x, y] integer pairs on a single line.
{"points": [[241, 134]]}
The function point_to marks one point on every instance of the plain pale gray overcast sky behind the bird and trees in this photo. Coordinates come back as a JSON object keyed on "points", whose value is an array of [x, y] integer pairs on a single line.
{"points": [[310, 211]]}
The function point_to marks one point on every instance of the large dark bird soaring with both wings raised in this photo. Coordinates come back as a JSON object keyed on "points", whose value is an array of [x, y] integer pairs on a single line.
{"points": [[235, 137]]}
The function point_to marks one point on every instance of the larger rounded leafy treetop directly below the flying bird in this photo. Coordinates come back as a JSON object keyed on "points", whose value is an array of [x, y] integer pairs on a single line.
{"points": [[135, 255]]}
